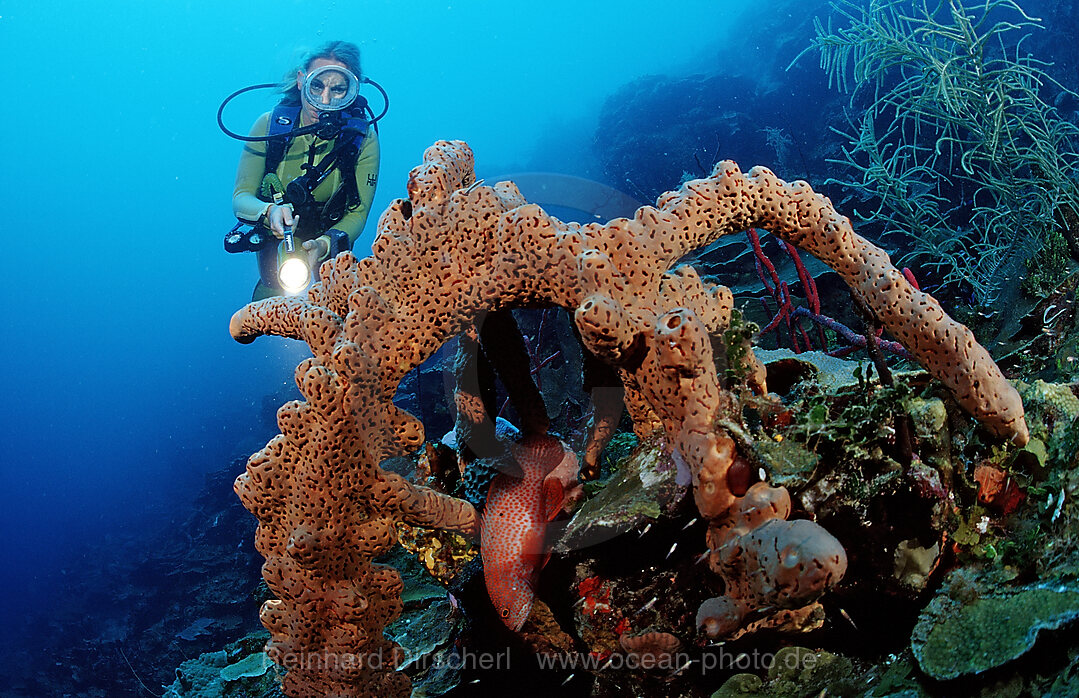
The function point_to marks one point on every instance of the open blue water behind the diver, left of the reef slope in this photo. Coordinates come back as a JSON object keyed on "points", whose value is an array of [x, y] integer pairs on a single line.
{"points": [[124, 388]]}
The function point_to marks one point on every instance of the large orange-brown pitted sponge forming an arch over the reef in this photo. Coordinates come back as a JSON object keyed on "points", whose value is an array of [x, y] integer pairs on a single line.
{"points": [[456, 250]]}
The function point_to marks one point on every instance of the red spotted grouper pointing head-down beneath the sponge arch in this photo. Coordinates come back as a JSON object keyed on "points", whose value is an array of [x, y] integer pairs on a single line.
{"points": [[514, 525]]}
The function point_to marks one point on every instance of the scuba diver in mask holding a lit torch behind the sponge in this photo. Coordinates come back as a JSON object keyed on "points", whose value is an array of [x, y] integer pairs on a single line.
{"points": [[308, 173]]}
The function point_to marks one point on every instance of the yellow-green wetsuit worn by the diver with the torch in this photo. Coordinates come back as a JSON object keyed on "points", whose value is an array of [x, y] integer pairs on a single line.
{"points": [[248, 206]]}
